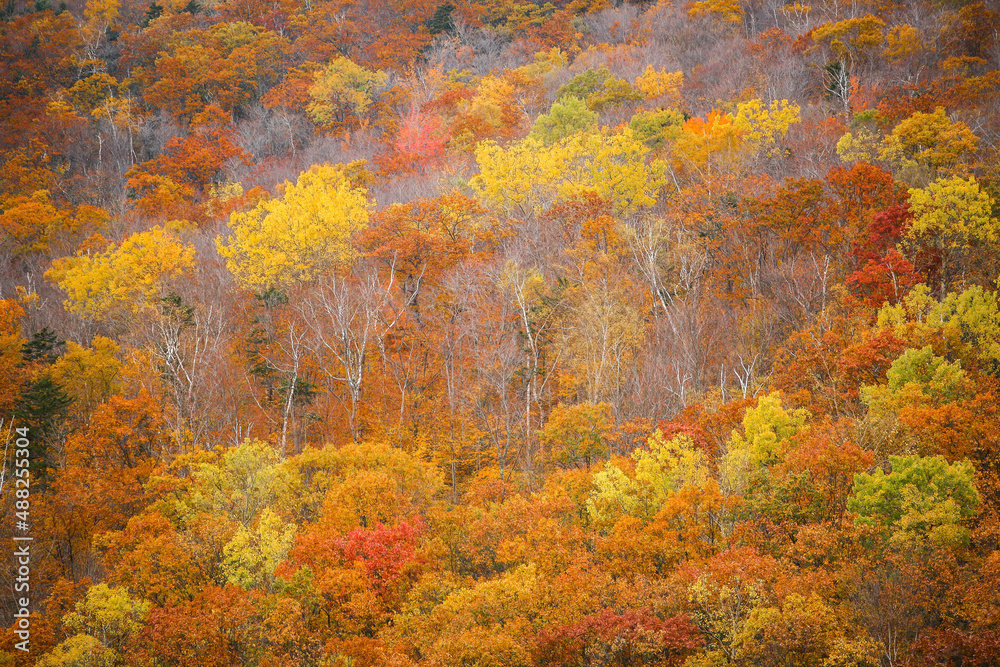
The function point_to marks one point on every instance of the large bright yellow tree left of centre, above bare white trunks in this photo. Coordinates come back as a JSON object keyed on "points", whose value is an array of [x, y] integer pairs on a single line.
{"points": [[299, 236]]}
